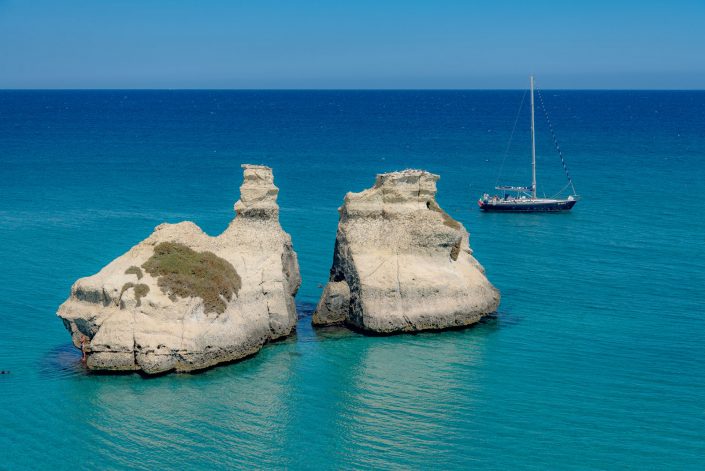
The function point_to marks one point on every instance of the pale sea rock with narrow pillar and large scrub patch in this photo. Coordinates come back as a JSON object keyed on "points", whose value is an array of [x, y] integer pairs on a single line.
{"points": [[182, 300]]}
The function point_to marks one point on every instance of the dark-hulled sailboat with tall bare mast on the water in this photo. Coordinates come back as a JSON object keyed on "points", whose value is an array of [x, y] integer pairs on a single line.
{"points": [[523, 199]]}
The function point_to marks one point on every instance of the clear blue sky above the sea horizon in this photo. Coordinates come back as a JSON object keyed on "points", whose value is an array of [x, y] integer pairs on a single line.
{"points": [[355, 44]]}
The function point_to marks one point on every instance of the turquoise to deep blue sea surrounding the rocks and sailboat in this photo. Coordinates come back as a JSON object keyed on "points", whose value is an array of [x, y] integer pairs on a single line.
{"points": [[594, 361]]}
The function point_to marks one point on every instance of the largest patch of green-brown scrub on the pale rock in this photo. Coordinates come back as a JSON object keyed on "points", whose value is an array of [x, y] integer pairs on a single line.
{"points": [[184, 272]]}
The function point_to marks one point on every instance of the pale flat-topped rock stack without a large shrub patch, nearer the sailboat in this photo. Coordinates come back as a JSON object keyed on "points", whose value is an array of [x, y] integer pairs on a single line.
{"points": [[401, 264]]}
